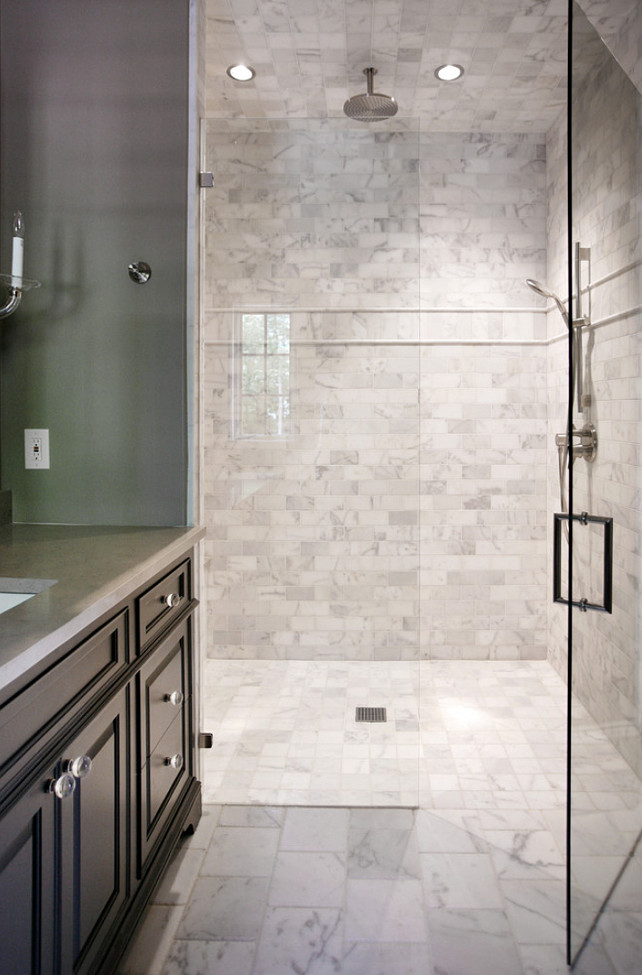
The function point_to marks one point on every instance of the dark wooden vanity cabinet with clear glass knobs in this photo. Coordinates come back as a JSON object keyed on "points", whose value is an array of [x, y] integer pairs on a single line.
{"points": [[97, 784]]}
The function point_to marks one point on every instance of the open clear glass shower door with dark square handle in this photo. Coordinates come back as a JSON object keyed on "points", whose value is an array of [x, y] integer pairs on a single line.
{"points": [[605, 808]]}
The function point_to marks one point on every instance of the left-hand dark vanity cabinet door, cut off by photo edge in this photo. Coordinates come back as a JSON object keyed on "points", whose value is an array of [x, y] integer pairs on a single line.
{"points": [[27, 885]]}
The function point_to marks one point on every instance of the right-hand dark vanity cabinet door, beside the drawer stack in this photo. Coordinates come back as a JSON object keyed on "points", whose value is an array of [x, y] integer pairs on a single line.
{"points": [[95, 859]]}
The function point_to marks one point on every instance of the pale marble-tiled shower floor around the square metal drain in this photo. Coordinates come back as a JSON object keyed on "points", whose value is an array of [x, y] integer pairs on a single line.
{"points": [[461, 734]]}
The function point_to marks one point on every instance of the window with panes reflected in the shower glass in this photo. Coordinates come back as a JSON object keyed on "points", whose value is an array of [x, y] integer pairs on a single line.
{"points": [[263, 375]]}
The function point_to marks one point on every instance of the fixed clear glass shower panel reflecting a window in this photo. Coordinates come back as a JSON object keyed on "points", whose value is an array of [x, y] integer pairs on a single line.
{"points": [[313, 484]]}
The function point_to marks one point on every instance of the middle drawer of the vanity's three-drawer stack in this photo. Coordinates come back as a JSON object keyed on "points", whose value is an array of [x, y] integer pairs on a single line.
{"points": [[164, 687]]}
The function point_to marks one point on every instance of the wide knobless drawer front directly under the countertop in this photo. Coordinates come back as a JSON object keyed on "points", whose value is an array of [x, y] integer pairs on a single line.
{"points": [[27, 722]]}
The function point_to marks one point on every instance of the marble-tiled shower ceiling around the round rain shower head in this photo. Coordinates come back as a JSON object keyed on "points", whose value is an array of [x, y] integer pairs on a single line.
{"points": [[309, 57]]}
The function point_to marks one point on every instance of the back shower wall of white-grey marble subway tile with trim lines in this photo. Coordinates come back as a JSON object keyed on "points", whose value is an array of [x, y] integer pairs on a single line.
{"points": [[400, 513]]}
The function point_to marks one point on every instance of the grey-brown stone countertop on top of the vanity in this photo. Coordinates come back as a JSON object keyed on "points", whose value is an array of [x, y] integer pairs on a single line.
{"points": [[94, 568]]}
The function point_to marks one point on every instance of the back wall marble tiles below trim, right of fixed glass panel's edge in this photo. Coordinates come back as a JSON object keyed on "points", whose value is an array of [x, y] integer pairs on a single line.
{"points": [[483, 502]]}
